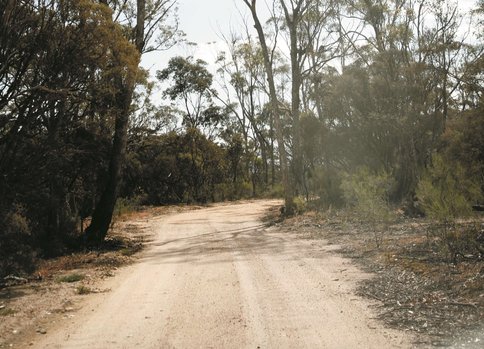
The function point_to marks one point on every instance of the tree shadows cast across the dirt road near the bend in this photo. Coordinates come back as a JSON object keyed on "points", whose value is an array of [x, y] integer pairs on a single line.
{"points": [[219, 246]]}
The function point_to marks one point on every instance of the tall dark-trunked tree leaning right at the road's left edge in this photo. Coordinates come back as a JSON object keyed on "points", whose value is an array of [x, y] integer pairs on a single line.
{"points": [[144, 22]]}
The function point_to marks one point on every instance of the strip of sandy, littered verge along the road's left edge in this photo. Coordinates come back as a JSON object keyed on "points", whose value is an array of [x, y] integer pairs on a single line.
{"points": [[54, 291]]}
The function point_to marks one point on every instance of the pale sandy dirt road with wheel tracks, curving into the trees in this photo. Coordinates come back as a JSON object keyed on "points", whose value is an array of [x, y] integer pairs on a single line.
{"points": [[217, 278]]}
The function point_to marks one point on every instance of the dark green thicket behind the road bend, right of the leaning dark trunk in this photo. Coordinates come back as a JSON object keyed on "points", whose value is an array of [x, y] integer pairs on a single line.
{"points": [[188, 167]]}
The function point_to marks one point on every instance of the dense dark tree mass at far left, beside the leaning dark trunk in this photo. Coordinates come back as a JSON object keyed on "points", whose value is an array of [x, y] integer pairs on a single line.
{"points": [[60, 66]]}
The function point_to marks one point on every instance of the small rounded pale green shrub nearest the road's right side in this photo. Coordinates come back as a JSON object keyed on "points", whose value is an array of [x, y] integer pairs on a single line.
{"points": [[367, 194]]}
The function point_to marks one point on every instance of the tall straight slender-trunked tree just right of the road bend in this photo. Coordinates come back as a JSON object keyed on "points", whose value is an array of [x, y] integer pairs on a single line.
{"points": [[314, 45]]}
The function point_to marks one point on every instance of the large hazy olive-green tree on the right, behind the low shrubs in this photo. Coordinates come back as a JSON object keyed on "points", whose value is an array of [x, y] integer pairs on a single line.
{"points": [[406, 58]]}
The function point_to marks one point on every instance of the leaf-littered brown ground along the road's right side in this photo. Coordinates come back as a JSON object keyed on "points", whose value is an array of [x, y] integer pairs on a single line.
{"points": [[416, 287]]}
